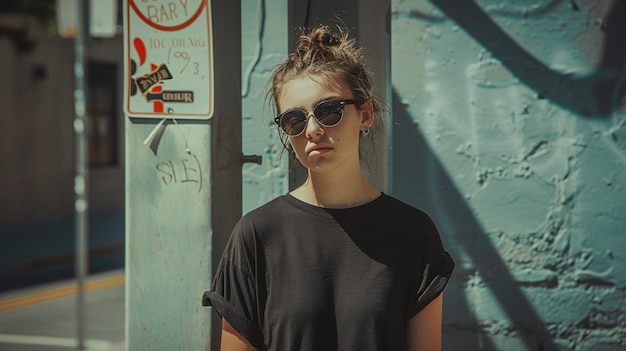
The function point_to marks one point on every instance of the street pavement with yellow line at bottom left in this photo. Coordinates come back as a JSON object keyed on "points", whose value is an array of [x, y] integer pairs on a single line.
{"points": [[44, 317]]}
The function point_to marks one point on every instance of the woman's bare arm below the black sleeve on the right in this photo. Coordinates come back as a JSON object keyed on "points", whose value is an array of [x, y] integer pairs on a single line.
{"points": [[424, 329]]}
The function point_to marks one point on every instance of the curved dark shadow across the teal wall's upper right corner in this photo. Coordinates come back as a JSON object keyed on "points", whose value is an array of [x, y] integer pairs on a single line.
{"points": [[596, 94]]}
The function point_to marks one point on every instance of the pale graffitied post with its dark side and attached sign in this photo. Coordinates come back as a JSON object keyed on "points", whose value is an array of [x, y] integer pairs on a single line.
{"points": [[183, 164]]}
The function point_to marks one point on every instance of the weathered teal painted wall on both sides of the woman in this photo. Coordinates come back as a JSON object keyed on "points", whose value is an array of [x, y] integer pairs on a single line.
{"points": [[509, 128]]}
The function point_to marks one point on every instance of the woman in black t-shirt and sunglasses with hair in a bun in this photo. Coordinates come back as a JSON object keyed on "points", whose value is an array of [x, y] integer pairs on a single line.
{"points": [[334, 264]]}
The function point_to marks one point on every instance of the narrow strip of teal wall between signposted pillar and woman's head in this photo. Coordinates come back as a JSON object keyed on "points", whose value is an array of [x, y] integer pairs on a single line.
{"points": [[264, 42]]}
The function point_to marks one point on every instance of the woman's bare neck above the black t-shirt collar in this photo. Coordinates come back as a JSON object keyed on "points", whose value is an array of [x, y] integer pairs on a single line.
{"points": [[335, 190]]}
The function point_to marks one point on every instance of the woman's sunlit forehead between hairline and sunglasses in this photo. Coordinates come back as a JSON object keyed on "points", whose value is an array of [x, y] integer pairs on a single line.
{"points": [[306, 91]]}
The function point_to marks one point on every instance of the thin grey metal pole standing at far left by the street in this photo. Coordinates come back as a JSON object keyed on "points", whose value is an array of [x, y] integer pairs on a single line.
{"points": [[81, 176]]}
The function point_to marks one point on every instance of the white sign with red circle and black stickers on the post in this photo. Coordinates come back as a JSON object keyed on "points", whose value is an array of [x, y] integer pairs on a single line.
{"points": [[169, 59]]}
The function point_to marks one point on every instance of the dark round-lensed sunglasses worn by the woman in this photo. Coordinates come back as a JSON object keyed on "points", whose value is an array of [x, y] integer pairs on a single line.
{"points": [[327, 113]]}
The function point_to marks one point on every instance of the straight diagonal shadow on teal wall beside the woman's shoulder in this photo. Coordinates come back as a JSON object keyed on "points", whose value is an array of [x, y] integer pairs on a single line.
{"points": [[423, 182]]}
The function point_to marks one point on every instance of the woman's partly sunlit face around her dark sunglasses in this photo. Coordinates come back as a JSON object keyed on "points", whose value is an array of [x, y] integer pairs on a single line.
{"points": [[320, 148]]}
